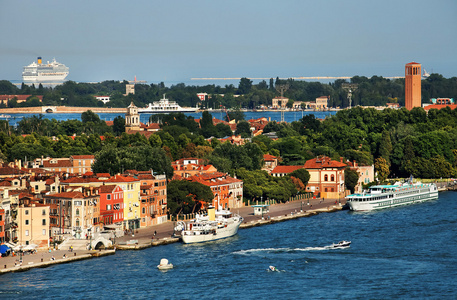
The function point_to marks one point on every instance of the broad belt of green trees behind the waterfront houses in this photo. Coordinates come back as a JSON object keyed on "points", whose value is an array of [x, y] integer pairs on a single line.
{"points": [[398, 143]]}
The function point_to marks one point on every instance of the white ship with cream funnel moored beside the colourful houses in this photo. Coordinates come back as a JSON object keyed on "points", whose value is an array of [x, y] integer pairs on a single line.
{"points": [[217, 224]]}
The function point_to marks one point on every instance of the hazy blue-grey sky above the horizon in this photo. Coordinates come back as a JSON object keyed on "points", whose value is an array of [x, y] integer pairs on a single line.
{"points": [[174, 41]]}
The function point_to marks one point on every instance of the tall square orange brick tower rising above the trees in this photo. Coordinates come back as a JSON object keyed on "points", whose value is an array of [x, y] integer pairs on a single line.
{"points": [[412, 85]]}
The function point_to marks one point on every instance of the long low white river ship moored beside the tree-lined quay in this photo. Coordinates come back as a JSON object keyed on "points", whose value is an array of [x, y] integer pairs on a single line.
{"points": [[384, 196]]}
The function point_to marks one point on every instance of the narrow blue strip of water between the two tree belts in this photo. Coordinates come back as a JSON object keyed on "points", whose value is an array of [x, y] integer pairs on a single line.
{"points": [[289, 116]]}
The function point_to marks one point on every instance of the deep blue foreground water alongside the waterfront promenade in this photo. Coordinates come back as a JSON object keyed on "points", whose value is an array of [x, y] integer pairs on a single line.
{"points": [[406, 252]]}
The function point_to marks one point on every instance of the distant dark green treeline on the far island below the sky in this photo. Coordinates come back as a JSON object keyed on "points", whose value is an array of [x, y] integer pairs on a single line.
{"points": [[374, 91]]}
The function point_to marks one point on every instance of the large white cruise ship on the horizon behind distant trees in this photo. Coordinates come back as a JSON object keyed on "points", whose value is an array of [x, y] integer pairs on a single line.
{"points": [[45, 72]]}
